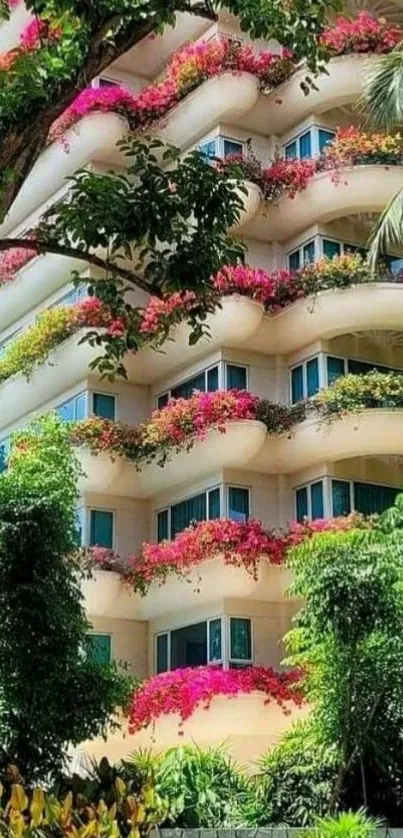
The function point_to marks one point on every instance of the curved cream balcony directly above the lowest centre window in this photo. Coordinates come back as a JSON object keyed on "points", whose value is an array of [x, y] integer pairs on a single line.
{"points": [[213, 575]]}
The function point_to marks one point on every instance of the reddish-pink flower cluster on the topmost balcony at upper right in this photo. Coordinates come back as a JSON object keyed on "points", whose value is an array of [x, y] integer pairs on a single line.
{"points": [[362, 34]]}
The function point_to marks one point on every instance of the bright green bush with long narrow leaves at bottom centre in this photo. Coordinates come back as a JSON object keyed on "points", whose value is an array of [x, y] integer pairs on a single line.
{"points": [[205, 788]]}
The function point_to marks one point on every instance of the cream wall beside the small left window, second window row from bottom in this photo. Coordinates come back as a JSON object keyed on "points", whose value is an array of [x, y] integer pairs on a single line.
{"points": [[131, 520]]}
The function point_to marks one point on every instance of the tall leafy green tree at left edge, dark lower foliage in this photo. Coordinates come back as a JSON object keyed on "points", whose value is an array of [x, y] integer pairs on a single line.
{"points": [[51, 694]]}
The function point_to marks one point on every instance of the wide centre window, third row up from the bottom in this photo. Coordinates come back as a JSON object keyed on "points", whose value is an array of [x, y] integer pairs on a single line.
{"points": [[221, 376]]}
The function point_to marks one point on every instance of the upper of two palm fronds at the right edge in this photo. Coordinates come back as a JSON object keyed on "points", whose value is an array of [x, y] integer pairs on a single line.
{"points": [[382, 101]]}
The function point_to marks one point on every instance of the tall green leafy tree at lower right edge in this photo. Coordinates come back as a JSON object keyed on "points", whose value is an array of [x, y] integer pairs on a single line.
{"points": [[347, 639]]}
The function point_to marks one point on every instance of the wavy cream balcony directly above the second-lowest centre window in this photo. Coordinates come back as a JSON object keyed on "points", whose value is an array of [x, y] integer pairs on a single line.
{"points": [[234, 449]]}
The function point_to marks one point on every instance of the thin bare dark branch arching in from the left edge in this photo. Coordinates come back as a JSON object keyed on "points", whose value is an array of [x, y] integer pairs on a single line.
{"points": [[106, 265]]}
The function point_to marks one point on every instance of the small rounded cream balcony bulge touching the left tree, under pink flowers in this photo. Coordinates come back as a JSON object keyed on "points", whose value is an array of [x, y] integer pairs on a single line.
{"points": [[105, 595]]}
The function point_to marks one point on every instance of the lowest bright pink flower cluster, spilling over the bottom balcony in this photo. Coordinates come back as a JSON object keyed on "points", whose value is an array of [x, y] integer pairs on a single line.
{"points": [[184, 690]]}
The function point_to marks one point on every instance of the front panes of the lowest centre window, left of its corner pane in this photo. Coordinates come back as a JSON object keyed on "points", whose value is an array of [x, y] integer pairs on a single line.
{"points": [[197, 644]]}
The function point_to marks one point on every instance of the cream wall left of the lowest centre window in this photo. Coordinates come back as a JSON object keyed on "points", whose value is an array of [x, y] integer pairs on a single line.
{"points": [[129, 642]]}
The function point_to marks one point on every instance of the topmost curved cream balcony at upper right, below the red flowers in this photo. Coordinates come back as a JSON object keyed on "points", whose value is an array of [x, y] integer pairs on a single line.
{"points": [[287, 105]]}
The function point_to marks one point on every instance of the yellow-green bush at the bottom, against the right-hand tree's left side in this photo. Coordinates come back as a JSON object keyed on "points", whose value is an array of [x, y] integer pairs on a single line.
{"points": [[294, 781]]}
